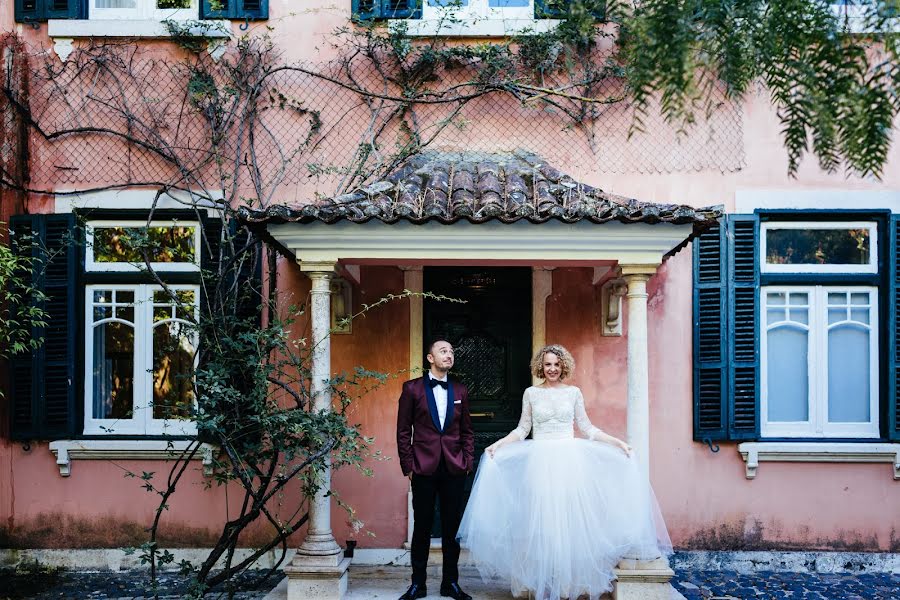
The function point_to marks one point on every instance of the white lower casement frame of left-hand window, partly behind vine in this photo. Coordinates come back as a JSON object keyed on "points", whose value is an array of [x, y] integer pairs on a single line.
{"points": [[142, 421]]}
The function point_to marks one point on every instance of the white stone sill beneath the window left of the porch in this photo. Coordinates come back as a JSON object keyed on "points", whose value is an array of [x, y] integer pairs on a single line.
{"points": [[68, 450]]}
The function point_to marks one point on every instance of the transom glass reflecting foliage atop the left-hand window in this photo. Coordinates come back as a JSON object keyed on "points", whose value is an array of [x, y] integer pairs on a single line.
{"points": [[166, 244]]}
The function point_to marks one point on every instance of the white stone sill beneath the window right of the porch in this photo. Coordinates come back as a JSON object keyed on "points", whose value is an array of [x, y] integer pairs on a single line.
{"points": [[755, 452]]}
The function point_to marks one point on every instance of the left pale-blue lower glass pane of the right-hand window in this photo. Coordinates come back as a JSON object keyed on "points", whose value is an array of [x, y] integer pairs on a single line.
{"points": [[788, 375]]}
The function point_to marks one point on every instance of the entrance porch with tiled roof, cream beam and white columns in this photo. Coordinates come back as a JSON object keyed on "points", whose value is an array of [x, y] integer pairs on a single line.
{"points": [[476, 209]]}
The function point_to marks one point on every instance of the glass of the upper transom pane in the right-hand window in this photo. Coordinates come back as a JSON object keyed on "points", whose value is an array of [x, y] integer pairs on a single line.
{"points": [[817, 246]]}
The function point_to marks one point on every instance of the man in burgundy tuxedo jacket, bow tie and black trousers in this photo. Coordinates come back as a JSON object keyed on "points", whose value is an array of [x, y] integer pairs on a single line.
{"points": [[437, 451]]}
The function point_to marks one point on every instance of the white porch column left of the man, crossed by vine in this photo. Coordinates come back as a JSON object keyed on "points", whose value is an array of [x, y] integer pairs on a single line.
{"points": [[319, 569]]}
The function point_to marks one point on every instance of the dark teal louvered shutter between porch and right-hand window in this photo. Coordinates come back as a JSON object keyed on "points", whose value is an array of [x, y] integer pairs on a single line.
{"points": [[726, 331]]}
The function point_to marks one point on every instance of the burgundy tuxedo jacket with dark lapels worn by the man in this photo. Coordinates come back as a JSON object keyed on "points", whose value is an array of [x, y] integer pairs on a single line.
{"points": [[420, 440]]}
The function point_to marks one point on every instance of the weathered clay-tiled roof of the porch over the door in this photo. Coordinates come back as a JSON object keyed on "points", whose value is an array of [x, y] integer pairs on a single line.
{"points": [[450, 187]]}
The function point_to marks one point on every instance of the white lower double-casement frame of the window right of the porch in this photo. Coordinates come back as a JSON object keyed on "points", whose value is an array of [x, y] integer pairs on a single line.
{"points": [[817, 357]]}
